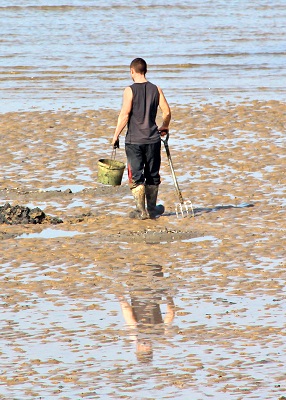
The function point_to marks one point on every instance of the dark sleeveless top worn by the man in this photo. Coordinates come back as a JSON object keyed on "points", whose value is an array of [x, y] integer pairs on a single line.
{"points": [[142, 128]]}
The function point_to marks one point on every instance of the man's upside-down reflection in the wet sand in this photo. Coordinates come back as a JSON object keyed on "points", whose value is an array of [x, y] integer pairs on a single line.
{"points": [[143, 316]]}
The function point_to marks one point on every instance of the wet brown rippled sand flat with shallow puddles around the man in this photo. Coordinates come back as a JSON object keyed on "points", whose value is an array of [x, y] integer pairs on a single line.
{"points": [[225, 266]]}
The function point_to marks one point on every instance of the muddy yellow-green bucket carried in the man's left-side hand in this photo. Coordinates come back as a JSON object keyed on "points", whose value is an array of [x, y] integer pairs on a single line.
{"points": [[110, 172]]}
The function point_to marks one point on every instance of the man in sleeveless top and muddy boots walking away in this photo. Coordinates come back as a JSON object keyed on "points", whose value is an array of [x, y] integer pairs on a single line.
{"points": [[143, 138]]}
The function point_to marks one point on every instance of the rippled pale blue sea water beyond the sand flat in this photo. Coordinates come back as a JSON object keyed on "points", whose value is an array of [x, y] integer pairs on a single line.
{"points": [[75, 54]]}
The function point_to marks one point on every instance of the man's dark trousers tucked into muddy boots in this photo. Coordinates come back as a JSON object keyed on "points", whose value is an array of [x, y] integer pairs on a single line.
{"points": [[143, 161]]}
